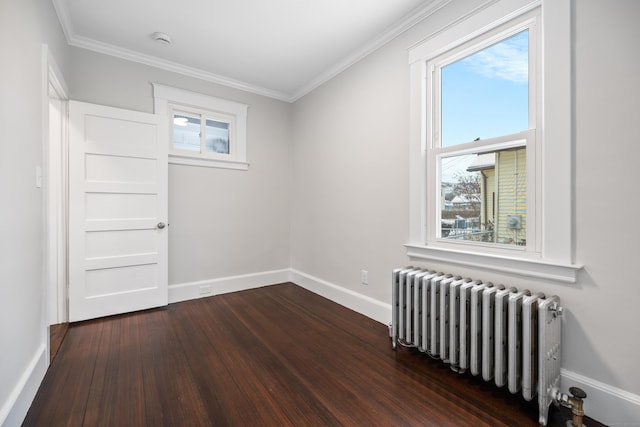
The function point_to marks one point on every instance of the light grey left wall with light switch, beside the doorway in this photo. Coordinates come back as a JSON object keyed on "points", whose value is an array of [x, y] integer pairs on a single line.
{"points": [[24, 26]]}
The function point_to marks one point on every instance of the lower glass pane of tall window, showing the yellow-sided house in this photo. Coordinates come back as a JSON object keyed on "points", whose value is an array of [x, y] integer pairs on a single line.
{"points": [[484, 197]]}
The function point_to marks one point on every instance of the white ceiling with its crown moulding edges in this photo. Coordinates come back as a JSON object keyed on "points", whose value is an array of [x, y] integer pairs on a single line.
{"points": [[279, 48]]}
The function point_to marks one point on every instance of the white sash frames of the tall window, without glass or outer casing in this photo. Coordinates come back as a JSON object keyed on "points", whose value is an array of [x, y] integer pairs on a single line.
{"points": [[527, 138]]}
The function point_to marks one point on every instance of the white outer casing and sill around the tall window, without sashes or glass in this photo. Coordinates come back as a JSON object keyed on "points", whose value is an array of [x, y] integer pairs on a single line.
{"points": [[550, 255]]}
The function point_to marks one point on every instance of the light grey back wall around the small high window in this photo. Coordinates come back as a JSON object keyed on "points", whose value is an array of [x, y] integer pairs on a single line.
{"points": [[223, 223]]}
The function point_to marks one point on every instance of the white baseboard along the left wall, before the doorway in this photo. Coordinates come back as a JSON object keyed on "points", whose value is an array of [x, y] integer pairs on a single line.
{"points": [[17, 405]]}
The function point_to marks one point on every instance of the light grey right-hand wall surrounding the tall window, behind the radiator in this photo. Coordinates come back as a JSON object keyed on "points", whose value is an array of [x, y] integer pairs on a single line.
{"points": [[351, 200]]}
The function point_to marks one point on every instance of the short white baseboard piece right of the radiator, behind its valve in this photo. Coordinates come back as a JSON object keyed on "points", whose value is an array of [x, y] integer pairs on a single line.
{"points": [[609, 405]]}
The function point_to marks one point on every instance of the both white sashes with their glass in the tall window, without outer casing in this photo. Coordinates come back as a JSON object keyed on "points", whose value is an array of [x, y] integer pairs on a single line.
{"points": [[481, 139]]}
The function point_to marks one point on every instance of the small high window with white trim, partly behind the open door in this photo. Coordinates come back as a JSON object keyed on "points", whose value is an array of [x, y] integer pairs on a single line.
{"points": [[205, 131]]}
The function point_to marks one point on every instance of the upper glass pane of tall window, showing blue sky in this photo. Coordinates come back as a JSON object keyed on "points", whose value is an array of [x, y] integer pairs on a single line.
{"points": [[486, 94]]}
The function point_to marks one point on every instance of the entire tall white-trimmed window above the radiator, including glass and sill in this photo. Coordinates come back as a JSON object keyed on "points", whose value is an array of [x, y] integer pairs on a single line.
{"points": [[479, 97]]}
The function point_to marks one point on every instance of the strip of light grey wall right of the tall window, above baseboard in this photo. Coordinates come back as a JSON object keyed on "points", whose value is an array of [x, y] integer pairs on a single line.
{"points": [[603, 327]]}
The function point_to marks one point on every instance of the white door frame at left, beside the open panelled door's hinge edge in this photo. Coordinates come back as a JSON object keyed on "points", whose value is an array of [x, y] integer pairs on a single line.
{"points": [[54, 173]]}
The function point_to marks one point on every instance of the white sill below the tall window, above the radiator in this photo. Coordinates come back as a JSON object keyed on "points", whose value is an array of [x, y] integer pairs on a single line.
{"points": [[536, 268]]}
